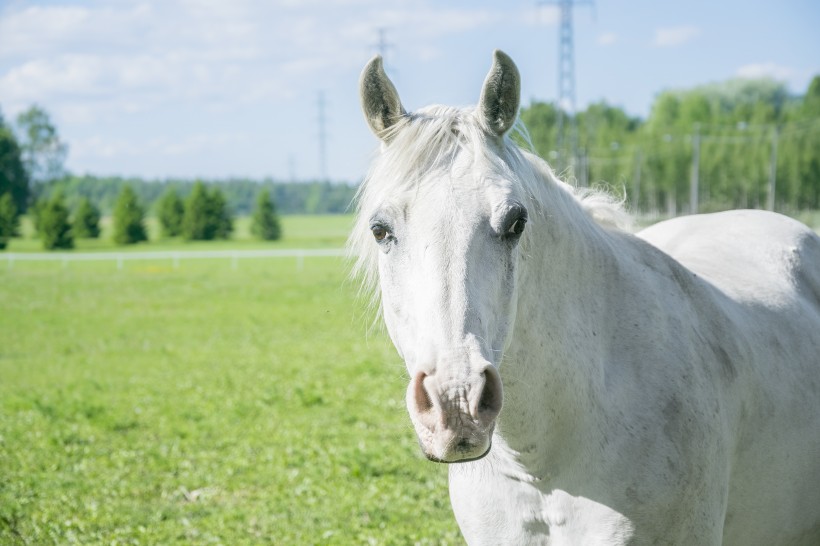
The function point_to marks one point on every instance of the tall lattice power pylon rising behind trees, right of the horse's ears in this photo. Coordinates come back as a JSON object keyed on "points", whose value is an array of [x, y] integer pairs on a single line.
{"points": [[566, 84]]}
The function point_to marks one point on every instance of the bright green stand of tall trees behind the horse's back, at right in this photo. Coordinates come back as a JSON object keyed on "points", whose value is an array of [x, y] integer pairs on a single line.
{"points": [[714, 147]]}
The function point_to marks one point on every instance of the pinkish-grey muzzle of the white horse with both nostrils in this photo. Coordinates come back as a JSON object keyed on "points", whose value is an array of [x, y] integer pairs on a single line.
{"points": [[454, 417]]}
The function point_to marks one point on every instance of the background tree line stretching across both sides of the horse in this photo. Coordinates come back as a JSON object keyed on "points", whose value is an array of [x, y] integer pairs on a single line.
{"points": [[737, 144]]}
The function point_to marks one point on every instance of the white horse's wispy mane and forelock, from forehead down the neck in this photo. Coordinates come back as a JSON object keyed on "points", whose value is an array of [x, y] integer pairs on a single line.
{"points": [[426, 142]]}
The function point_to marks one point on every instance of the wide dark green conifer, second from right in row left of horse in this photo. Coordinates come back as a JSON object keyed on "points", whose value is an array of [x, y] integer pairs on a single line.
{"points": [[206, 215]]}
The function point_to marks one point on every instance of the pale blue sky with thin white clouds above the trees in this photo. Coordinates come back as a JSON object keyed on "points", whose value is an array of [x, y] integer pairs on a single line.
{"points": [[231, 88]]}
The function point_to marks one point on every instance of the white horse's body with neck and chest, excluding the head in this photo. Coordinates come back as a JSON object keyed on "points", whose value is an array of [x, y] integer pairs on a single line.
{"points": [[633, 424]]}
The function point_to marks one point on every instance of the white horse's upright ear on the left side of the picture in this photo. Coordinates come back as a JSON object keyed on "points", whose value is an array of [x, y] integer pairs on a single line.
{"points": [[380, 100]]}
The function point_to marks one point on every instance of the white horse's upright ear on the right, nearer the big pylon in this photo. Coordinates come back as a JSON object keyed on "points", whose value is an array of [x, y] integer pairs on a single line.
{"points": [[501, 95]]}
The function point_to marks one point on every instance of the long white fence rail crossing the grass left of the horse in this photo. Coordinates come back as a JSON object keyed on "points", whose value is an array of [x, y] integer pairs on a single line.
{"points": [[174, 256]]}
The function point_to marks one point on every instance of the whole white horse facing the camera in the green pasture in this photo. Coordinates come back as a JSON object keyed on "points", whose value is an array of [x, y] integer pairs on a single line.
{"points": [[662, 388]]}
